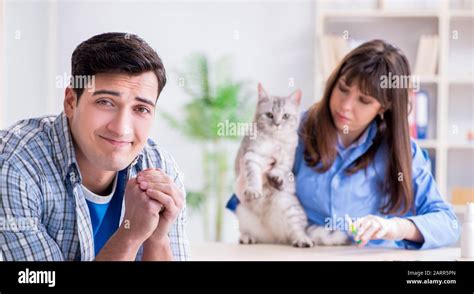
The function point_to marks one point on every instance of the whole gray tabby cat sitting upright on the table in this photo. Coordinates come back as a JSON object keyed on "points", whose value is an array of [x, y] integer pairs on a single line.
{"points": [[269, 211]]}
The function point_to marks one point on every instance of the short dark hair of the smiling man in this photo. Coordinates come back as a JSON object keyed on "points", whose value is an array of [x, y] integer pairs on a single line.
{"points": [[115, 53]]}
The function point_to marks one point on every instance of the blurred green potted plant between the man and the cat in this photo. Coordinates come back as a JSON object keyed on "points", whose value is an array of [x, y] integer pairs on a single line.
{"points": [[217, 99]]}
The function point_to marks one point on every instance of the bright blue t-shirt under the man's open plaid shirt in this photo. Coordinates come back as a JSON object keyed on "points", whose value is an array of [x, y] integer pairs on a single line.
{"points": [[105, 217]]}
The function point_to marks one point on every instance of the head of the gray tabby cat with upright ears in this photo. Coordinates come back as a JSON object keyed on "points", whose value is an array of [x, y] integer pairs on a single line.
{"points": [[277, 114]]}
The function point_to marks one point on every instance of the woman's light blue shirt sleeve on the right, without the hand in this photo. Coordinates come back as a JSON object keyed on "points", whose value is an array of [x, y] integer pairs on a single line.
{"points": [[434, 218]]}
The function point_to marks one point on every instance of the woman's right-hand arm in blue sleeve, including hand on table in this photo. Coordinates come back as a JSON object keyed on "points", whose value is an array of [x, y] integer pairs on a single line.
{"points": [[431, 224]]}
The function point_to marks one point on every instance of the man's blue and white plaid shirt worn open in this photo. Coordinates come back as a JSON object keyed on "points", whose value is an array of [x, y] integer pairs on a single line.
{"points": [[43, 212]]}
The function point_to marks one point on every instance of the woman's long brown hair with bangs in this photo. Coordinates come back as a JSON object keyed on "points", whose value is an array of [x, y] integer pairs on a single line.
{"points": [[365, 66]]}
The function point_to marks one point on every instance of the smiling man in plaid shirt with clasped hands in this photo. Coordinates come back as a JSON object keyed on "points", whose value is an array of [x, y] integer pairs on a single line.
{"points": [[89, 184]]}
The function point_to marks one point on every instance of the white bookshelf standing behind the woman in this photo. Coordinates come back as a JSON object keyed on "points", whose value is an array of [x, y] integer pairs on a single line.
{"points": [[450, 89]]}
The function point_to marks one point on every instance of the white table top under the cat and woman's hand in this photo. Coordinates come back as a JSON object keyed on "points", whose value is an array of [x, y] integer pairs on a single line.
{"points": [[214, 251]]}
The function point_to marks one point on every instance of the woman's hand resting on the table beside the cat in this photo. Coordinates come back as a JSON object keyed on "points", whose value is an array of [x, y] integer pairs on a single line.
{"points": [[372, 227]]}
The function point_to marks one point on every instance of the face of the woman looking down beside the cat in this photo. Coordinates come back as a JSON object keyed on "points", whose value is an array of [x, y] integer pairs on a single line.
{"points": [[351, 110]]}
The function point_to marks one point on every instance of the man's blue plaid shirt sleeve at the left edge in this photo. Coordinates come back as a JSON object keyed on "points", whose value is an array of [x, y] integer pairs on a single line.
{"points": [[22, 235]]}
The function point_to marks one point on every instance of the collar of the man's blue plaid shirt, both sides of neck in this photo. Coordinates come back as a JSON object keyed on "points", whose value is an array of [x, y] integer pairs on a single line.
{"points": [[64, 150]]}
